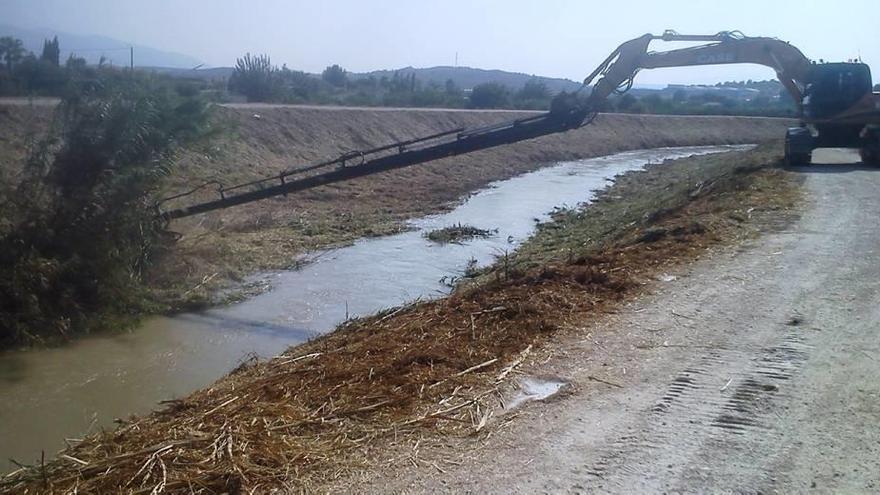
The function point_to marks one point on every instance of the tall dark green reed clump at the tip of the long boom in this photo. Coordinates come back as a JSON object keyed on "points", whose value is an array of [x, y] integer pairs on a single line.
{"points": [[80, 228]]}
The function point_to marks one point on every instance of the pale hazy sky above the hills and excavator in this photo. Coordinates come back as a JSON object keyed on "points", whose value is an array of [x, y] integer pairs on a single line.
{"points": [[552, 37]]}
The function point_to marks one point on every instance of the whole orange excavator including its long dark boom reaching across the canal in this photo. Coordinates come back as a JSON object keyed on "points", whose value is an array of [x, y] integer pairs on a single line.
{"points": [[835, 103]]}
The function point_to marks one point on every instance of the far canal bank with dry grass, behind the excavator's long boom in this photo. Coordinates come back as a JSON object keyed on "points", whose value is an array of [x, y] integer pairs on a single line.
{"points": [[217, 250]]}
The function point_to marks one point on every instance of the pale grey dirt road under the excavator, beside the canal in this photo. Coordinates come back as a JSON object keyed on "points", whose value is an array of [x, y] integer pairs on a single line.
{"points": [[752, 371]]}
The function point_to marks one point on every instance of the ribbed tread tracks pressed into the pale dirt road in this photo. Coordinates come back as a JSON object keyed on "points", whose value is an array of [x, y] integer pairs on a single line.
{"points": [[692, 415]]}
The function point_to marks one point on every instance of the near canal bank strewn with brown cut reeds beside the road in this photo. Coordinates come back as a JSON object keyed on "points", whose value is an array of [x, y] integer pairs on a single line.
{"points": [[341, 403]]}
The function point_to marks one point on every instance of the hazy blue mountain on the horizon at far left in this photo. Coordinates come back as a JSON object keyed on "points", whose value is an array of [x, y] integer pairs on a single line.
{"points": [[92, 47]]}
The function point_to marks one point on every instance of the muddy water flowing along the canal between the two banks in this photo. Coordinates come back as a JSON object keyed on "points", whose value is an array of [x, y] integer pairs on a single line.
{"points": [[49, 395]]}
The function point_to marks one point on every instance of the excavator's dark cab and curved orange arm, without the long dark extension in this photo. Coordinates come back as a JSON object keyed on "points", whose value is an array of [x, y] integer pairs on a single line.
{"points": [[836, 106]]}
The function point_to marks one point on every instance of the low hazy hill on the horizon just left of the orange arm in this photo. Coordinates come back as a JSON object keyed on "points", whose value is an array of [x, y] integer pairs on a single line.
{"points": [[467, 77]]}
